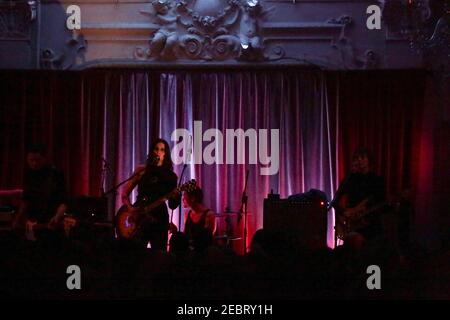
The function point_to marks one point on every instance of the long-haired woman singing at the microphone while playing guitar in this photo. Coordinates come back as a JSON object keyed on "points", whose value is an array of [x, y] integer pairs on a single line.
{"points": [[153, 181]]}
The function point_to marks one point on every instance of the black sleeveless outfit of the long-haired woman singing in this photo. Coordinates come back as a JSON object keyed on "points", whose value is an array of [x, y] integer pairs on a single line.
{"points": [[154, 184]]}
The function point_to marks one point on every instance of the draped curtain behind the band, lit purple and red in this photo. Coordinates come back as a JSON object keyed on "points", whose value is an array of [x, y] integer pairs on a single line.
{"points": [[98, 126]]}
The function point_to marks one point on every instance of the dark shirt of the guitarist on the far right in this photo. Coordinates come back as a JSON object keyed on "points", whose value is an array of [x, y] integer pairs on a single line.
{"points": [[360, 186]]}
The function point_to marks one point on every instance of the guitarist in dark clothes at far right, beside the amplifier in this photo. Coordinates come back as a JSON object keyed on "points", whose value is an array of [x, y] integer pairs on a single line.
{"points": [[360, 191]]}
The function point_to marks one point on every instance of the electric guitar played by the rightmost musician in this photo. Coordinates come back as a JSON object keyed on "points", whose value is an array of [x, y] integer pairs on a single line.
{"points": [[351, 219]]}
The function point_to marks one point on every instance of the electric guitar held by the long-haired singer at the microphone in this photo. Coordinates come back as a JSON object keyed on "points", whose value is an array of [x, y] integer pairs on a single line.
{"points": [[129, 220]]}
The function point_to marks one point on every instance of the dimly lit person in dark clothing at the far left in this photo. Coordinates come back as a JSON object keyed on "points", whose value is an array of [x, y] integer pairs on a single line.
{"points": [[44, 193]]}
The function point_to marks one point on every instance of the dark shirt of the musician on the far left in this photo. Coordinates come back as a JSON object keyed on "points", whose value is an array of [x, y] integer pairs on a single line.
{"points": [[43, 191]]}
